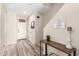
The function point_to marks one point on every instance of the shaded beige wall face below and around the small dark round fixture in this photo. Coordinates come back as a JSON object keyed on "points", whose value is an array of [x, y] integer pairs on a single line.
{"points": [[39, 28]]}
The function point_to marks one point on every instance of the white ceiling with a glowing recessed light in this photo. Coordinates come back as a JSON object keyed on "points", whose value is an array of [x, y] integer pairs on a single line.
{"points": [[25, 9]]}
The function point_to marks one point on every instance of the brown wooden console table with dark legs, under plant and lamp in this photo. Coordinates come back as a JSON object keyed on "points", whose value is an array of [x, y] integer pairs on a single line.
{"points": [[58, 46]]}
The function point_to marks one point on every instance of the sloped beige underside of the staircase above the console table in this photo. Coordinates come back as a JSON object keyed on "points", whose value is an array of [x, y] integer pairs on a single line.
{"points": [[50, 14]]}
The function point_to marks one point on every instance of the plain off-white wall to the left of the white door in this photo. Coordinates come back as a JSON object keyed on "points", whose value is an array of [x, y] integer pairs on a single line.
{"points": [[8, 26]]}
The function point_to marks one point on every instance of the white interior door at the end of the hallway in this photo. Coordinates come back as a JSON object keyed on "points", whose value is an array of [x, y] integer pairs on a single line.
{"points": [[21, 30]]}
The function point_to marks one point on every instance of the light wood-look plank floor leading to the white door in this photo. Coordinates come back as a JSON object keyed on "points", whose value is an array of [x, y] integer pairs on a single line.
{"points": [[21, 48]]}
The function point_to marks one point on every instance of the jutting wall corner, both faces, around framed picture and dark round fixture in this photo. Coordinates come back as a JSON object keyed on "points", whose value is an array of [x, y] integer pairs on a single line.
{"points": [[36, 34]]}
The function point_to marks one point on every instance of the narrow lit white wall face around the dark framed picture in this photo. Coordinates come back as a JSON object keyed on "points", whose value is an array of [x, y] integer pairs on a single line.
{"points": [[31, 32]]}
